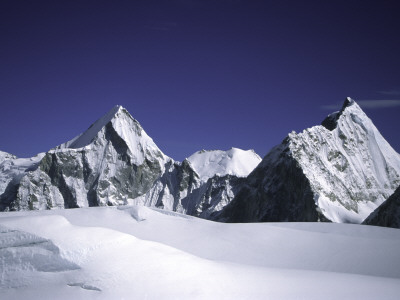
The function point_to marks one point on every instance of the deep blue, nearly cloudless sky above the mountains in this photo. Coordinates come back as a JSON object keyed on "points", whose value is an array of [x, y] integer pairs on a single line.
{"points": [[197, 74]]}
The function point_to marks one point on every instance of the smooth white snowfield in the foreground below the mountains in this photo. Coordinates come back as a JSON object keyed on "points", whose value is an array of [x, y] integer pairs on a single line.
{"points": [[142, 253]]}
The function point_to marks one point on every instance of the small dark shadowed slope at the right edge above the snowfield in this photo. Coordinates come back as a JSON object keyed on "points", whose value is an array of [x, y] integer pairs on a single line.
{"points": [[388, 214]]}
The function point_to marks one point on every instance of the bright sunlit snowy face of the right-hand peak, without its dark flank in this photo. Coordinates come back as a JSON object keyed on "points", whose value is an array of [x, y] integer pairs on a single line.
{"points": [[351, 168]]}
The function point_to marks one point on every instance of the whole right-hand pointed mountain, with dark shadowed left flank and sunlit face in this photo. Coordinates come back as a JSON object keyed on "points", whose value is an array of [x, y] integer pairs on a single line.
{"points": [[339, 171]]}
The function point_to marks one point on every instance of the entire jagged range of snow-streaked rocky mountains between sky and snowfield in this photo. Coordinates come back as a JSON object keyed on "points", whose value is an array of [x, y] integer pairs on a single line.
{"points": [[338, 171]]}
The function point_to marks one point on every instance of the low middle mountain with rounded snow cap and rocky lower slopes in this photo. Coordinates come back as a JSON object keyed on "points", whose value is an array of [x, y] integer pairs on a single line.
{"points": [[203, 183]]}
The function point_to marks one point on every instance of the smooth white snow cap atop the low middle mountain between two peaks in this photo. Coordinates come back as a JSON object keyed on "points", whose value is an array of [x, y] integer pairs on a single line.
{"points": [[217, 162]]}
